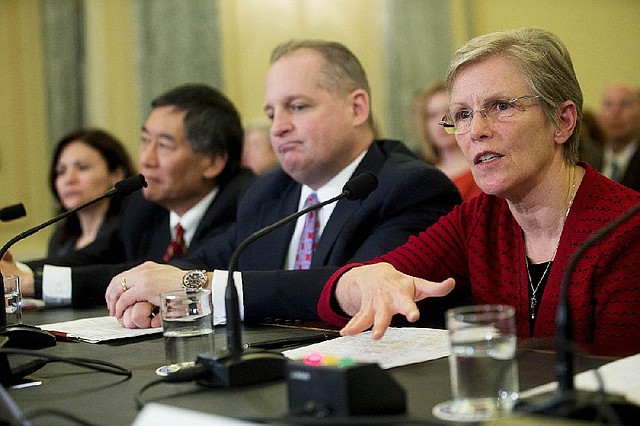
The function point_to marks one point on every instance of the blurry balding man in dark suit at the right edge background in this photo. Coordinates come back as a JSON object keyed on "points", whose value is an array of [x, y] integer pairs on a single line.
{"points": [[620, 118]]}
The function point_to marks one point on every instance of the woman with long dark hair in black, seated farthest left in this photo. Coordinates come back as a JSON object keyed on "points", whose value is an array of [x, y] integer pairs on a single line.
{"points": [[86, 163]]}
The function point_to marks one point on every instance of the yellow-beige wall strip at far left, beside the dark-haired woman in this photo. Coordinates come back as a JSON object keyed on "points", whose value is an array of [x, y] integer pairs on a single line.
{"points": [[23, 130]]}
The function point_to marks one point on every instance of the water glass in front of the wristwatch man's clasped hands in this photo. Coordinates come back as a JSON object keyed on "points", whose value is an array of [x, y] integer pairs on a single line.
{"points": [[187, 327]]}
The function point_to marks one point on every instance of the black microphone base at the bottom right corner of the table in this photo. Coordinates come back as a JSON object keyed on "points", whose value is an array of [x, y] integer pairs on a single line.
{"points": [[582, 405]]}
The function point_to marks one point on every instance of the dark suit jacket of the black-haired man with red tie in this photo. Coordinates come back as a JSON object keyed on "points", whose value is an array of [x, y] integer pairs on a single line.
{"points": [[144, 235]]}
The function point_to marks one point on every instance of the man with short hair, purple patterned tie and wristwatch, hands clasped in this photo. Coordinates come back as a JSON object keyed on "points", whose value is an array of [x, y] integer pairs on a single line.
{"points": [[317, 98]]}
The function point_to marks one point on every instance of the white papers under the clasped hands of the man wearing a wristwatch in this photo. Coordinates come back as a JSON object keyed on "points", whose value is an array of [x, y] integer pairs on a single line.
{"points": [[95, 330]]}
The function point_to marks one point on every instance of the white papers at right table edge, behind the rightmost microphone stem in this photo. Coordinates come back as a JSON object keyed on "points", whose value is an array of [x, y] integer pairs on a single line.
{"points": [[620, 377]]}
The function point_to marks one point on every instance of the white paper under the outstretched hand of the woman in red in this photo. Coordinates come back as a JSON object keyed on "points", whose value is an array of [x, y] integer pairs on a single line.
{"points": [[399, 346]]}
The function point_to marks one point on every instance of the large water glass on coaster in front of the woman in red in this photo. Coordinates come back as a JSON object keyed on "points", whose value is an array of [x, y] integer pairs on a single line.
{"points": [[482, 363]]}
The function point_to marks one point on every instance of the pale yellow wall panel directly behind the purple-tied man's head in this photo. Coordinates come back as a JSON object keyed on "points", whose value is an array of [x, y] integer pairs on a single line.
{"points": [[252, 28]]}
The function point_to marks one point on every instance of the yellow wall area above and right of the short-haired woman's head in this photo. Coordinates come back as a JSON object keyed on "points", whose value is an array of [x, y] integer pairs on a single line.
{"points": [[602, 36]]}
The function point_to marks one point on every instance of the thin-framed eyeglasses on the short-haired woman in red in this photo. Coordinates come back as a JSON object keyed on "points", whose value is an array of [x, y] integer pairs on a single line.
{"points": [[459, 122]]}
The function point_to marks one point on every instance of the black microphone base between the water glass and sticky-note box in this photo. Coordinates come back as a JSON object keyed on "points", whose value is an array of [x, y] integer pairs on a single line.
{"points": [[245, 368]]}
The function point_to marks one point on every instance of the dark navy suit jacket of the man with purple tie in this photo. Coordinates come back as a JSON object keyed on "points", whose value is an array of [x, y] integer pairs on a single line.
{"points": [[410, 197]]}
